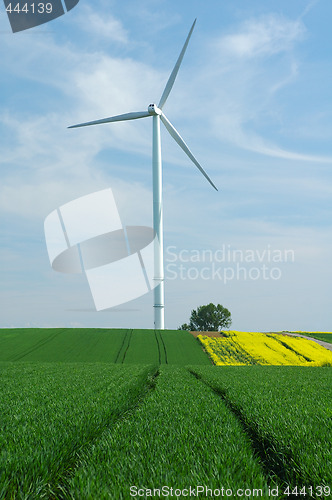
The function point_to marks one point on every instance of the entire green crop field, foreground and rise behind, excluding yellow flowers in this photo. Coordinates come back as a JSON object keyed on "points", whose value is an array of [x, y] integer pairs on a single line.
{"points": [[85, 414]]}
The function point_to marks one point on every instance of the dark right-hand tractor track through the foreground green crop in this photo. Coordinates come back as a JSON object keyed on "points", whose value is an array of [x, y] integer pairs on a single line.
{"points": [[270, 457]]}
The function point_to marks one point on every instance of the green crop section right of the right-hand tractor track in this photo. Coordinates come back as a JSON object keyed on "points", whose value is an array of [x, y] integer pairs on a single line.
{"points": [[287, 412]]}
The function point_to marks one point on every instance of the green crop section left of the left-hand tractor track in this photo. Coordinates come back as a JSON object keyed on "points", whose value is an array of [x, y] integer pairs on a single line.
{"points": [[50, 413]]}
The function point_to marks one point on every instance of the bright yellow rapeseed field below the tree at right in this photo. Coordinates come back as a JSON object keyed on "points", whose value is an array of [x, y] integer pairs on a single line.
{"points": [[253, 348]]}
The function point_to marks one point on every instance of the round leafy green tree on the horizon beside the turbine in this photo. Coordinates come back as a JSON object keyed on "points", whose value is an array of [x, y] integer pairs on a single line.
{"points": [[209, 318]]}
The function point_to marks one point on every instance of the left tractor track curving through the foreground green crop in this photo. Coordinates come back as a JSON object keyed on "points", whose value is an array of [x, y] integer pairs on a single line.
{"points": [[58, 489]]}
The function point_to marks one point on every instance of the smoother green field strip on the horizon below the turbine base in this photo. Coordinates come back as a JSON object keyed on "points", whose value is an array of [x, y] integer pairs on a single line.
{"points": [[100, 345]]}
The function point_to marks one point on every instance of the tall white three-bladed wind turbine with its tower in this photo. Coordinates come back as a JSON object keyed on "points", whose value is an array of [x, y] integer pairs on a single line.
{"points": [[157, 114]]}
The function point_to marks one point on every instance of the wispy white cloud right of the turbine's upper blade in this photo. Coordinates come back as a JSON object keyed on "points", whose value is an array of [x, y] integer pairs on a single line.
{"points": [[258, 61]]}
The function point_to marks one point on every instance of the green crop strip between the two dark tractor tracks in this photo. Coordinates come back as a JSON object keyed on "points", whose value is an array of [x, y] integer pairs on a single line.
{"points": [[183, 434]]}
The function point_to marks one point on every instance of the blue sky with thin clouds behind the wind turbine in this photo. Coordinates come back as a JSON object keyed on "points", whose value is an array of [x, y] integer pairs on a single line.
{"points": [[253, 102]]}
